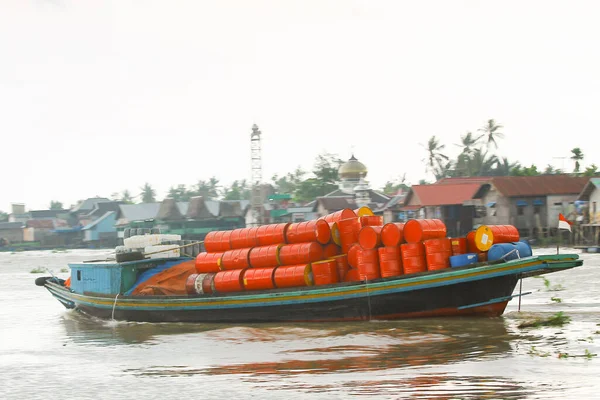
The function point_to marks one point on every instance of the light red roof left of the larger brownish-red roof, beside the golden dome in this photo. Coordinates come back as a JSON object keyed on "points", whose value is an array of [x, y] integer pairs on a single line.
{"points": [[442, 195]]}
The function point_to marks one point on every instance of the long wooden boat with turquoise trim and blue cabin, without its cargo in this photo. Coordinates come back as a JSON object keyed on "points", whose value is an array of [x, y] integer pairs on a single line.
{"points": [[482, 289]]}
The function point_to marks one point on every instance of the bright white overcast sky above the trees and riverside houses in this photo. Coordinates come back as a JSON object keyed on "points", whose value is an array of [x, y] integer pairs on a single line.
{"points": [[101, 96]]}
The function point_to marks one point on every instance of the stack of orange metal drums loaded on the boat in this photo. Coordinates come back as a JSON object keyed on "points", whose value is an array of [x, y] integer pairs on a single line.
{"points": [[345, 246]]}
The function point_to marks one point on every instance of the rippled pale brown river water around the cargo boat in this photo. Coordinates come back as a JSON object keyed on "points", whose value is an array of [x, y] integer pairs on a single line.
{"points": [[47, 351]]}
